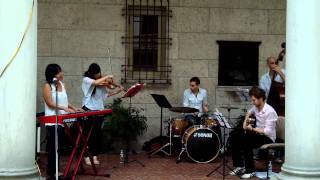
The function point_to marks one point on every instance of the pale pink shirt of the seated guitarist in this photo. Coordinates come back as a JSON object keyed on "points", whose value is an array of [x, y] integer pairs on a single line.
{"points": [[266, 119]]}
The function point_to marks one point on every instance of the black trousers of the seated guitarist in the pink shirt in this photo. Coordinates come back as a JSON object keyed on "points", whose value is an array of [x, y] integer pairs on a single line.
{"points": [[242, 145]]}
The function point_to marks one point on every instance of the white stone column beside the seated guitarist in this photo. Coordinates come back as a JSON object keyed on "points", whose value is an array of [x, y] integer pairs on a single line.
{"points": [[302, 146]]}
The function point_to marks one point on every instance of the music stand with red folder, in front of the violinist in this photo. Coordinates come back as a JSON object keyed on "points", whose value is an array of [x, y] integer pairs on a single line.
{"points": [[131, 92]]}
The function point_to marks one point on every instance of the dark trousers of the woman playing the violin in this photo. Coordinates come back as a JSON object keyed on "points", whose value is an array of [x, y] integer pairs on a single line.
{"points": [[95, 140]]}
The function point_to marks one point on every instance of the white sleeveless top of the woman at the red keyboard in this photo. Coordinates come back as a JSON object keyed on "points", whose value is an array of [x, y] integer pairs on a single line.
{"points": [[62, 101]]}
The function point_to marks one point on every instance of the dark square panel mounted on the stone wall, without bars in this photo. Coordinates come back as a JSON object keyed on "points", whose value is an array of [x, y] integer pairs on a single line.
{"points": [[238, 63]]}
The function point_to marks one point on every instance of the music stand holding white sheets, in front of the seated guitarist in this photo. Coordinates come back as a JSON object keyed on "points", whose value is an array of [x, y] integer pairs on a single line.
{"points": [[223, 122]]}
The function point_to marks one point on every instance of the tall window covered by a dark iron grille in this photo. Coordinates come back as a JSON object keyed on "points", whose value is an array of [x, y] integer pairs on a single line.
{"points": [[147, 42]]}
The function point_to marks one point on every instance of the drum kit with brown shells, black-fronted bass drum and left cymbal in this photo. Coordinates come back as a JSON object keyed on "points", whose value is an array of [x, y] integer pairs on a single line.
{"points": [[201, 143]]}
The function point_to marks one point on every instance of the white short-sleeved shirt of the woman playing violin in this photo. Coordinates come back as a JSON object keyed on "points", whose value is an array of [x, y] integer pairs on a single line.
{"points": [[93, 101]]}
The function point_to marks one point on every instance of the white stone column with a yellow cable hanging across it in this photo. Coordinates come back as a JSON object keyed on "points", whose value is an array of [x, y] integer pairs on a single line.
{"points": [[18, 90]]}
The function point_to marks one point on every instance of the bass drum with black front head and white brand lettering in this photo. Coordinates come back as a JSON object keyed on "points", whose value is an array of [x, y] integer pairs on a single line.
{"points": [[202, 144]]}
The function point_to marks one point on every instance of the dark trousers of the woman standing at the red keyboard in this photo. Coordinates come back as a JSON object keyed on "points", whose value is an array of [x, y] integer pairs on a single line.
{"points": [[50, 132]]}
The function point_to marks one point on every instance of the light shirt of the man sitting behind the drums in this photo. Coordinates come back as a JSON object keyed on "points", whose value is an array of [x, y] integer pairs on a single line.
{"points": [[195, 101]]}
